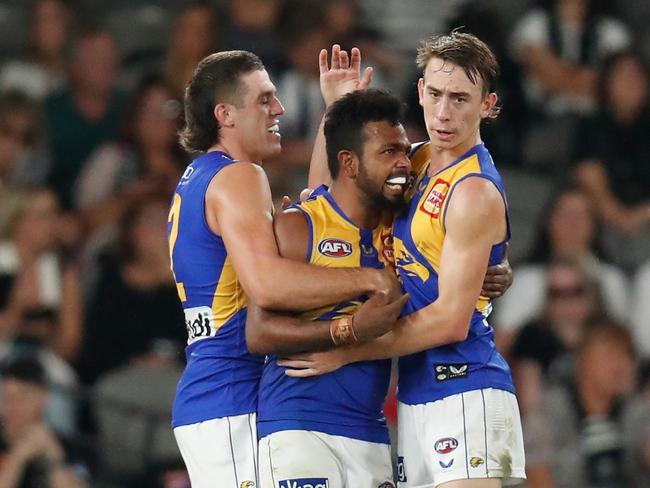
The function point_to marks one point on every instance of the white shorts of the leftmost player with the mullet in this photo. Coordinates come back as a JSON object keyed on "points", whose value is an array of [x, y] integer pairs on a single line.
{"points": [[220, 453]]}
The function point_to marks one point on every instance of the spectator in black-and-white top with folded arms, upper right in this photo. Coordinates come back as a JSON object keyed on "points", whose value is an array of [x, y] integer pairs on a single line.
{"points": [[560, 46]]}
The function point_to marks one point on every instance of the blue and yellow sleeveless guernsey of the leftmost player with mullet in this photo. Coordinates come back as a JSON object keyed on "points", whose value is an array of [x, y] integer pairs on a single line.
{"points": [[221, 377]]}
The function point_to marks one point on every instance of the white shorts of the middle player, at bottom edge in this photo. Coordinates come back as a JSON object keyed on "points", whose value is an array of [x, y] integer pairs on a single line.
{"points": [[308, 459]]}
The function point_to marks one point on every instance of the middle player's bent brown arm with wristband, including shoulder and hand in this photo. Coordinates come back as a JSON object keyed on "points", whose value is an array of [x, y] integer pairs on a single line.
{"points": [[273, 333]]}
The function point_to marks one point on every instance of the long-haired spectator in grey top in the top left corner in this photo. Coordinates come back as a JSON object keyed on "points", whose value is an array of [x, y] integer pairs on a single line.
{"points": [[43, 70]]}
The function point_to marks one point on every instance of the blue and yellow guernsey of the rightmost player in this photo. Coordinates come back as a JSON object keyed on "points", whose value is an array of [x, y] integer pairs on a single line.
{"points": [[418, 238]]}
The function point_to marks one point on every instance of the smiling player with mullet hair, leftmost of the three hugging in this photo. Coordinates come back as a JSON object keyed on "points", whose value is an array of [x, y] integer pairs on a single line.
{"points": [[224, 256]]}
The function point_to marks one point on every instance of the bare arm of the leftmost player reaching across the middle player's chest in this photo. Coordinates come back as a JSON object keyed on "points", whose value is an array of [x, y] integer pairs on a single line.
{"points": [[239, 208]]}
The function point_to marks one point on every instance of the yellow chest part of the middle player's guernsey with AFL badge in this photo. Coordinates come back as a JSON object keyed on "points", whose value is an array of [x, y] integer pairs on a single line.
{"points": [[337, 243]]}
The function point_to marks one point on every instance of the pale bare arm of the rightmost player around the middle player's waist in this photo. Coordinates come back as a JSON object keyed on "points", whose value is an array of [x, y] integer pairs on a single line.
{"points": [[475, 221]]}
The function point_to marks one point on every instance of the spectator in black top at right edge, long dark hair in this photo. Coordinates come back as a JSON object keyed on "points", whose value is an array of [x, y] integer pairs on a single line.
{"points": [[611, 151]]}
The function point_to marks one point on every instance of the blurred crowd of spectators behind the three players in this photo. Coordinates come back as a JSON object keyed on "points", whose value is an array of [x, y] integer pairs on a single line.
{"points": [[91, 330]]}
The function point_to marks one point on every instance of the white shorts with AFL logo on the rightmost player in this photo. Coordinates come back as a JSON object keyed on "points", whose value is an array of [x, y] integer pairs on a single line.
{"points": [[476, 434]]}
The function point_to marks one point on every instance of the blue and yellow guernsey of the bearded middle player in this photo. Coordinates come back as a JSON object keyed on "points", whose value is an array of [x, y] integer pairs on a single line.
{"points": [[347, 402]]}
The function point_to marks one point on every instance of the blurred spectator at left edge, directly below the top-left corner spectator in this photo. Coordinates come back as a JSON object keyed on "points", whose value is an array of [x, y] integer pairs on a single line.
{"points": [[23, 157]]}
